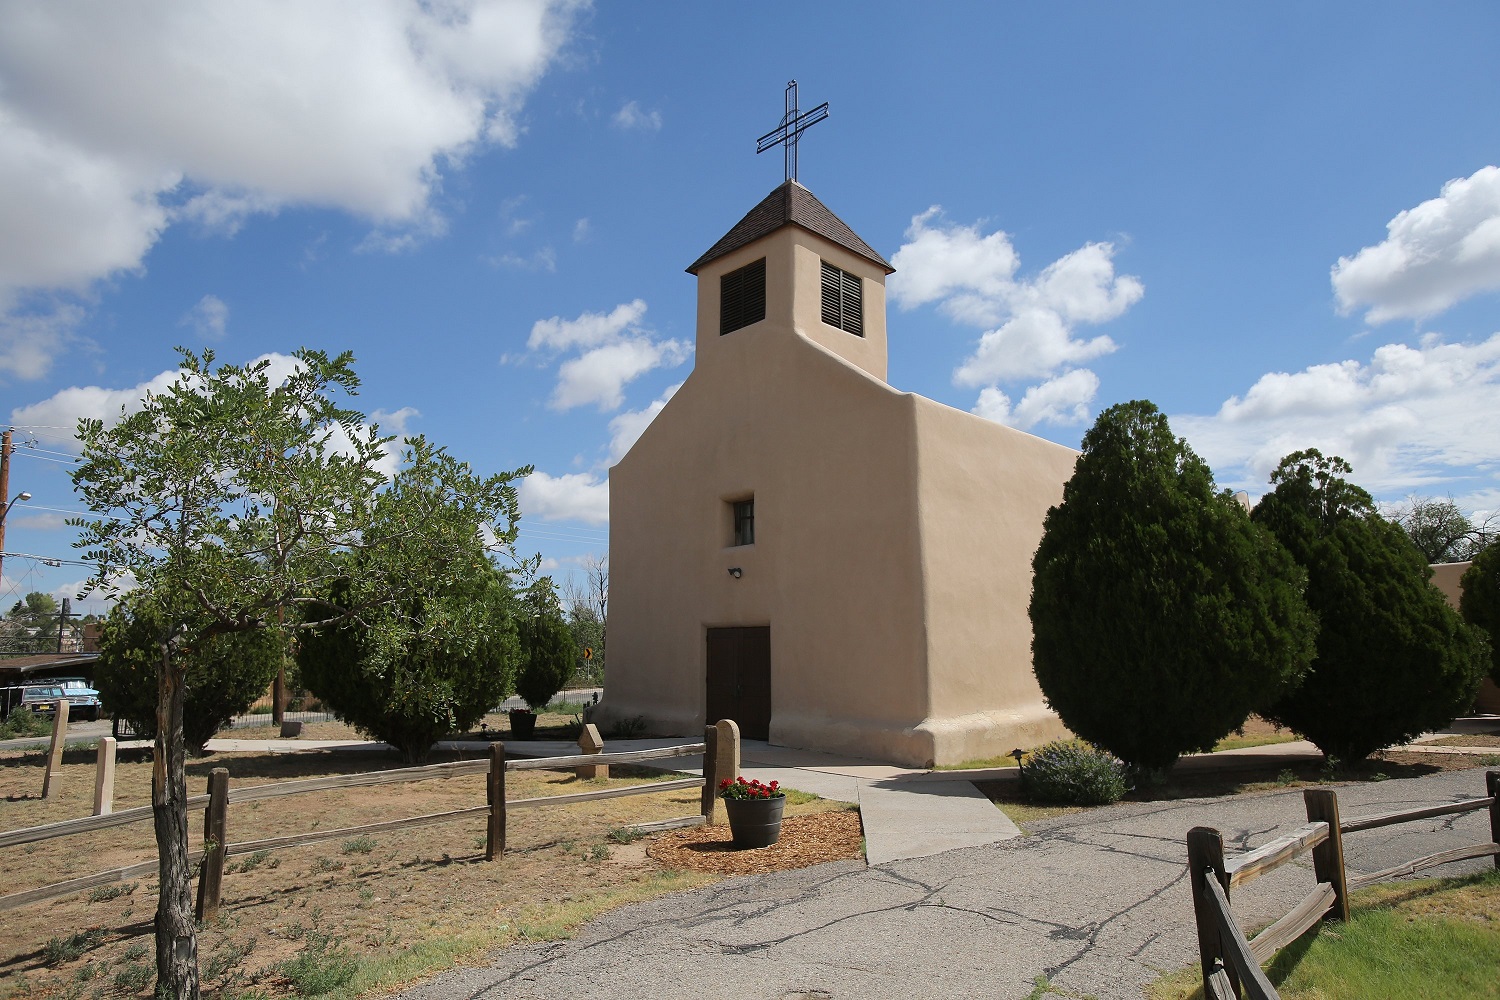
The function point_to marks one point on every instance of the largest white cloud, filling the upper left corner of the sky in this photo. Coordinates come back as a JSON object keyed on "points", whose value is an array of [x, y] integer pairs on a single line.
{"points": [[124, 119]]}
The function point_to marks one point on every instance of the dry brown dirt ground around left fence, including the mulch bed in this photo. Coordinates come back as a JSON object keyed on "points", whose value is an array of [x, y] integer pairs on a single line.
{"points": [[397, 905]]}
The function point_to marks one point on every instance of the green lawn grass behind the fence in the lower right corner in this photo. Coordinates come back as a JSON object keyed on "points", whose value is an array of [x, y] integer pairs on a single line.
{"points": [[1406, 941]]}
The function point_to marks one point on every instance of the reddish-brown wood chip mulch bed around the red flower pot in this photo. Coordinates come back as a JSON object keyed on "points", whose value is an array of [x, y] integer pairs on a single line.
{"points": [[806, 840]]}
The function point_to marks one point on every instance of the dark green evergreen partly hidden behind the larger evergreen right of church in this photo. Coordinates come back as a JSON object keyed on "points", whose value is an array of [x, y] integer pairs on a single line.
{"points": [[1393, 657]]}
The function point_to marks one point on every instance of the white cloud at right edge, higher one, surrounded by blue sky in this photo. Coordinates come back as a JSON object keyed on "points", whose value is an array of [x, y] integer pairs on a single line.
{"points": [[1433, 257]]}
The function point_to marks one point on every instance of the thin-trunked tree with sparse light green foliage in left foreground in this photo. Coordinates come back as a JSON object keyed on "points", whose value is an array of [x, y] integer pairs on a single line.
{"points": [[229, 499]]}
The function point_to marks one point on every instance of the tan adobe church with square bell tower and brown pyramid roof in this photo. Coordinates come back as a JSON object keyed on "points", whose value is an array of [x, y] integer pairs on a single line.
{"points": [[799, 546]]}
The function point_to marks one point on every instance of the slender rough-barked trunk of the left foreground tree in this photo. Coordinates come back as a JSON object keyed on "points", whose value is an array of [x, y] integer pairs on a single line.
{"points": [[176, 935]]}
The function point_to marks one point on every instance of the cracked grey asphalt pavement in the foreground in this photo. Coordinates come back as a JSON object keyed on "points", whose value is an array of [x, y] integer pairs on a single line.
{"points": [[1096, 902]]}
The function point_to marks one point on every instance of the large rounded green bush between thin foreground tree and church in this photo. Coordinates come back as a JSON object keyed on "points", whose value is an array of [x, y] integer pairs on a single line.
{"points": [[439, 660]]}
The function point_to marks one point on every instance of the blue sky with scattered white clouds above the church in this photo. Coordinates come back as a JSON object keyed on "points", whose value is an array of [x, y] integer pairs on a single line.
{"points": [[1280, 223]]}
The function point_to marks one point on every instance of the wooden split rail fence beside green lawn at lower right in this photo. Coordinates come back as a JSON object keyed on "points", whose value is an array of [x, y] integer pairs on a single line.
{"points": [[1232, 965]]}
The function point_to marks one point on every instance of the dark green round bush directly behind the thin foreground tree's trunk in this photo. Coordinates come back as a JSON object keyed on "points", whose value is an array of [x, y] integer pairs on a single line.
{"points": [[224, 674]]}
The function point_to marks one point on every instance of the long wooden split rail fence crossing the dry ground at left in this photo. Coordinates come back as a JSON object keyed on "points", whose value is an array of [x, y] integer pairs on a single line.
{"points": [[721, 752]]}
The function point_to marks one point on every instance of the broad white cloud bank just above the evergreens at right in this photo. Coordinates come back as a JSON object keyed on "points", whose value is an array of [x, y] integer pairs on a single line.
{"points": [[1406, 421]]}
